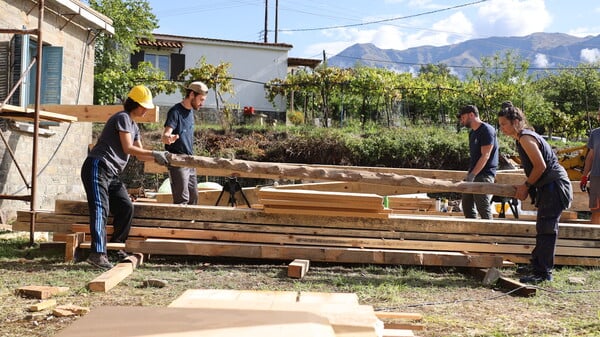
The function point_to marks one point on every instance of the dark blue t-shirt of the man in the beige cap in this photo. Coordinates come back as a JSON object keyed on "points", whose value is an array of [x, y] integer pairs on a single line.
{"points": [[181, 120]]}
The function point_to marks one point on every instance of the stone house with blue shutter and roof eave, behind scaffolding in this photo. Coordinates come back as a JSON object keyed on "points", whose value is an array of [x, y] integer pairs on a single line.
{"points": [[68, 31]]}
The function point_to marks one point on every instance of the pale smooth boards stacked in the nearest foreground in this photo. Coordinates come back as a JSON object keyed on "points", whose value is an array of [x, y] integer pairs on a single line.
{"points": [[224, 313]]}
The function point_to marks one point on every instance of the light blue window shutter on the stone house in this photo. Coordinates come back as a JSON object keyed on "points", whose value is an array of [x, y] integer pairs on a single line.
{"points": [[51, 75]]}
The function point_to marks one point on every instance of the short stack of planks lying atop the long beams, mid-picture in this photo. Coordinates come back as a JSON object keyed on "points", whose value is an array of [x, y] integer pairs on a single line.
{"points": [[322, 203]]}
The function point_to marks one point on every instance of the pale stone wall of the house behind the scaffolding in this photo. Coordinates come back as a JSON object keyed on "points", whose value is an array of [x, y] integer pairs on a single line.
{"points": [[59, 155]]}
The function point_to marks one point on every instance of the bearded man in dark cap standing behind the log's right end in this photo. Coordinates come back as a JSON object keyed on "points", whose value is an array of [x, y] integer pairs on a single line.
{"points": [[483, 149]]}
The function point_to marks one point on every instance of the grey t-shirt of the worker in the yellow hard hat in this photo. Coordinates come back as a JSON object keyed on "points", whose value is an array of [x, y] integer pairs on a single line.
{"points": [[109, 147]]}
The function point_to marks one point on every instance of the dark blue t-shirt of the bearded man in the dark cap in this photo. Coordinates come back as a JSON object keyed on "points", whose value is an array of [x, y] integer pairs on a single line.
{"points": [[484, 135]]}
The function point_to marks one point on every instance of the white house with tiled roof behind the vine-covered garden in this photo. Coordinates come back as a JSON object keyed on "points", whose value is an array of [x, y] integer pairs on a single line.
{"points": [[252, 65]]}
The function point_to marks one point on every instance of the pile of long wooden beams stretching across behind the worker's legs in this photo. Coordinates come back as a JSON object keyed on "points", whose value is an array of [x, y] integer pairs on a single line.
{"points": [[400, 239]]}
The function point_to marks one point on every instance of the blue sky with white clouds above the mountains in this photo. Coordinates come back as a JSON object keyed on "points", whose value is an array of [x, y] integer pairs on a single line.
{"points": [[315, 27]]}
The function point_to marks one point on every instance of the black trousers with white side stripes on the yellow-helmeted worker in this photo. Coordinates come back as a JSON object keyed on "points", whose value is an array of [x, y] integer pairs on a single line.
{"points": [[105, 193]]}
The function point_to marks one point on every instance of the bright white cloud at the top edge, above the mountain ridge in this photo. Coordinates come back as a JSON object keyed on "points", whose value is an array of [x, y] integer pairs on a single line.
{"points": [[512, 18]]}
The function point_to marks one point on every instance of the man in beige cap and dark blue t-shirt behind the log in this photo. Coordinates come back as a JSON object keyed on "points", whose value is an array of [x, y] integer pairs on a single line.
{"points": [[178, 137]]}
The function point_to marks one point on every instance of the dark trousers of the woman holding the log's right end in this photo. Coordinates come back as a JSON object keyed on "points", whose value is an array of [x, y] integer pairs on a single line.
{"points": [[546, 226]]}
